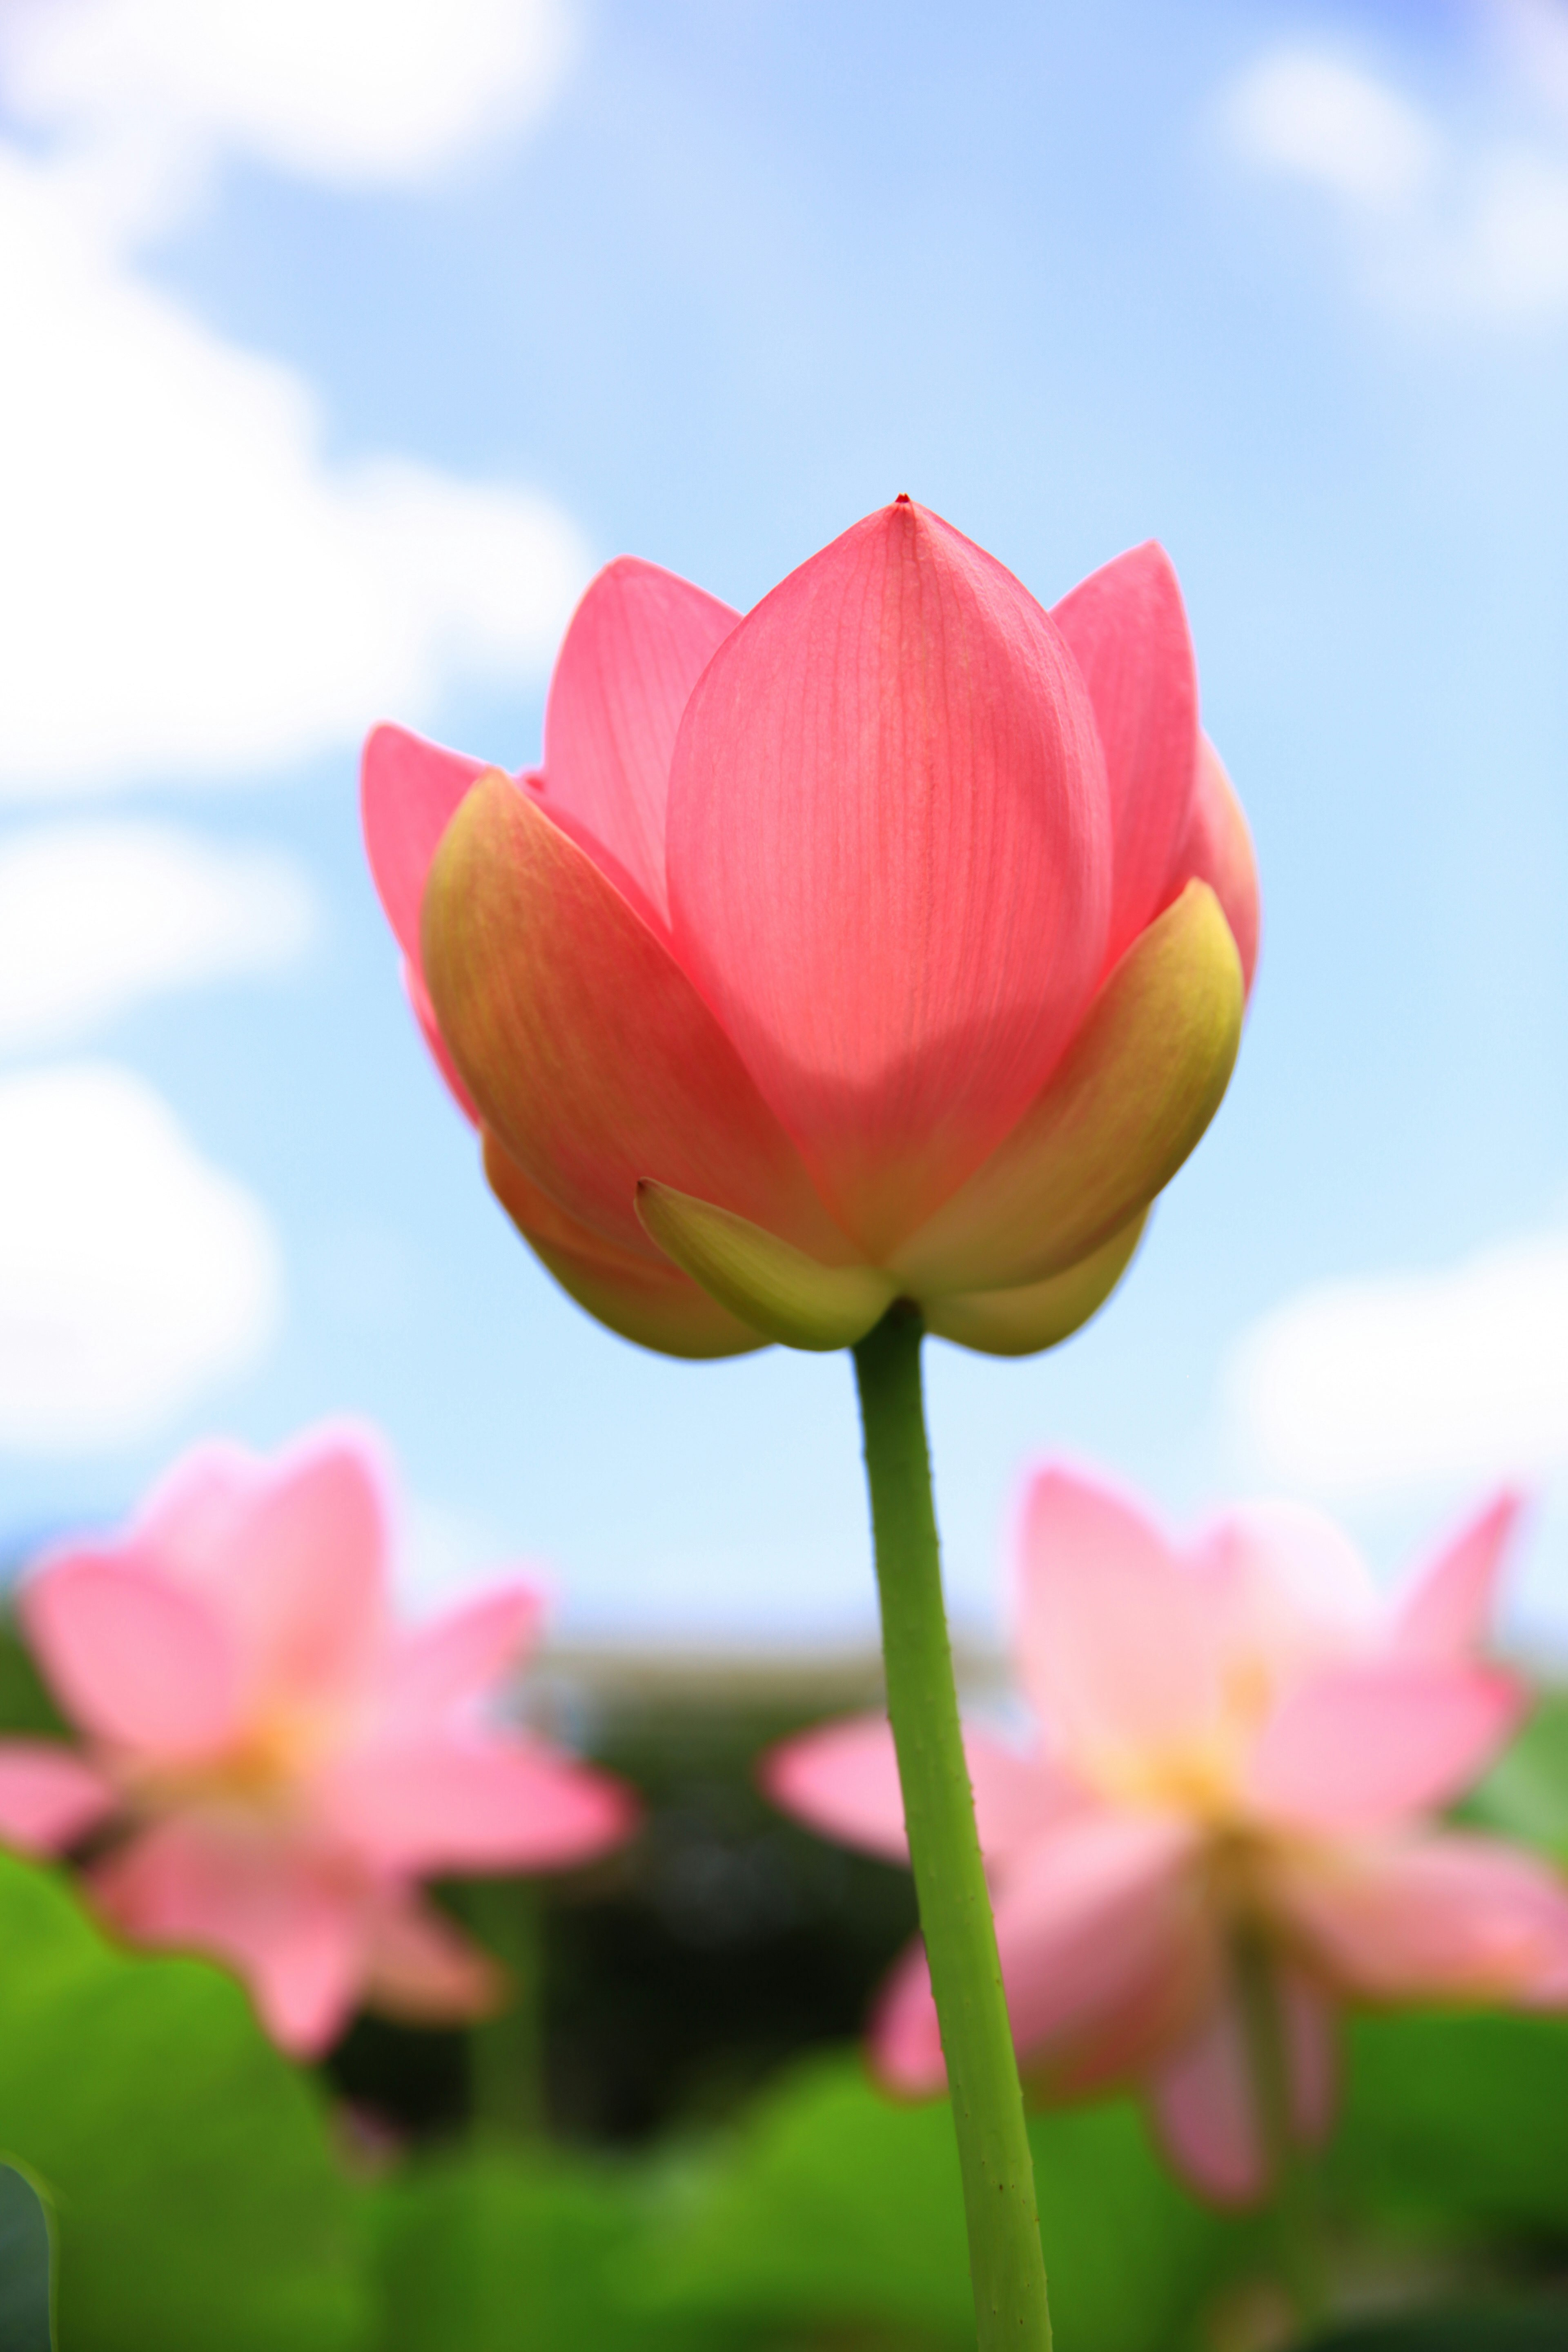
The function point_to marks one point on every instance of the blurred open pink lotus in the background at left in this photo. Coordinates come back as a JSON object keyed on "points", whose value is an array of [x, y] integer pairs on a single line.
{"points": [[279, 1758]]}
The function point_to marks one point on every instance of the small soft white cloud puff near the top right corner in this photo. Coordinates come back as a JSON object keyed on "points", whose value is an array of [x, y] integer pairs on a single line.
{"points": [[1318, 116]]}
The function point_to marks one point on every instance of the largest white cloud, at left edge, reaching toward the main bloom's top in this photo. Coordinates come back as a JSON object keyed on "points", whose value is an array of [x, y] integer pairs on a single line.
{"points": [[187, 587]]}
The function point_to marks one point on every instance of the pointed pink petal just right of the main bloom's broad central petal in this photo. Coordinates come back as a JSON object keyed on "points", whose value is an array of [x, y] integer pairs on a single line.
{"points": [[1127, 629]]}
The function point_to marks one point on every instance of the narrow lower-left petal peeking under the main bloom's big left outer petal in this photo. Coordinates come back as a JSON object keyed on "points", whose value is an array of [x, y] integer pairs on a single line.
{"points": [[652, 1304]]}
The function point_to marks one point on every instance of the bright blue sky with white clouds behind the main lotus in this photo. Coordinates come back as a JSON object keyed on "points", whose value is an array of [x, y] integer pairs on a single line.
{"points": [[335, 401]]}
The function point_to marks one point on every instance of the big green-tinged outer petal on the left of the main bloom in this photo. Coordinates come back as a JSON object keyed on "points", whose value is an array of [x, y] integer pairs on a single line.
{"points": [[587, 1045]]}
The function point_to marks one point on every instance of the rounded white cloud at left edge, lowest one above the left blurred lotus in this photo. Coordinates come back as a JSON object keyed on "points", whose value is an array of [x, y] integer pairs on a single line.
{"points": [[133, 1276]]}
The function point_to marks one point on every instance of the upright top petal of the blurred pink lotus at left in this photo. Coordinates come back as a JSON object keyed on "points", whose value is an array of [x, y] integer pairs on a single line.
{"points": [[304, 1575]]}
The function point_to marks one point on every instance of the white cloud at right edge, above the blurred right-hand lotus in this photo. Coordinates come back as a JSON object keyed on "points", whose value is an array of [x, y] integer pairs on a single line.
{"points": [[1412, 1382]]}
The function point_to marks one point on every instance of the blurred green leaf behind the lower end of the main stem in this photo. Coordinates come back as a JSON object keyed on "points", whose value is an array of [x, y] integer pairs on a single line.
{"points": [[840, 2210]]}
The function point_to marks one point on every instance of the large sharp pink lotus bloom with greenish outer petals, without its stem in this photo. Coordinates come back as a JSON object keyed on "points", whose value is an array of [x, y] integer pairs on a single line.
{"points": [[887, 942]]}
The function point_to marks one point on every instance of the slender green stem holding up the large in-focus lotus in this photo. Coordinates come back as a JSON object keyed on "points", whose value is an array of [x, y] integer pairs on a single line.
{"points": [[1005, 2257]]}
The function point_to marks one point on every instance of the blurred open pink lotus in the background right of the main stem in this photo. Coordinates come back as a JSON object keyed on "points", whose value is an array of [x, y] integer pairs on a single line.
{"points": [[1235, 1744]]}
